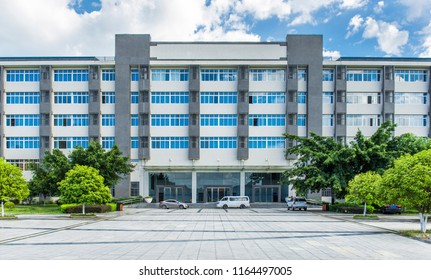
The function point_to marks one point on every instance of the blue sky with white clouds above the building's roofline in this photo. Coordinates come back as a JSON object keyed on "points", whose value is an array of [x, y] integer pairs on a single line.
{"points": [[87, 27]]}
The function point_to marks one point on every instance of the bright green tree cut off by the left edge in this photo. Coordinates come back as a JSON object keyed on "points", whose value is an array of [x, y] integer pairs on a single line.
{"points": [[12, 183]]}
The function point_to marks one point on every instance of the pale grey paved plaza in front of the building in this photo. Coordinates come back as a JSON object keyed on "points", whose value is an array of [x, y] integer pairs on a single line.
{"points": [[210, 234]]}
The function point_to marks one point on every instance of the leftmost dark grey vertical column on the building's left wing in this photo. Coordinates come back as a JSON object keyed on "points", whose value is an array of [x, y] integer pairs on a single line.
{"points": [[45, 108]]}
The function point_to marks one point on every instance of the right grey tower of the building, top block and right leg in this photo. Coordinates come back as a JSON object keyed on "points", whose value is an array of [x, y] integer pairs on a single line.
{"points": [[306, 51]]}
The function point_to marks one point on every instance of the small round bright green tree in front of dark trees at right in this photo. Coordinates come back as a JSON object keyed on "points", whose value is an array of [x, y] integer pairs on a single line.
{"points": [[365, 188]]}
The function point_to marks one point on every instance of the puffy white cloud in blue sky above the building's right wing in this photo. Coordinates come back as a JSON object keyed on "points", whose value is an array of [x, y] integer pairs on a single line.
{"points": [[389, 38]]}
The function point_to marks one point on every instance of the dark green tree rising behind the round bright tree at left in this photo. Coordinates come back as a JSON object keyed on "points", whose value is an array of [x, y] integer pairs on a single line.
{"points": [[112, 165]]}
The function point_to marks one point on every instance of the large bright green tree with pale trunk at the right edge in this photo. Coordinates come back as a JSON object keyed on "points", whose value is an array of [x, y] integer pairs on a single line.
{"points": [[408, 183]]}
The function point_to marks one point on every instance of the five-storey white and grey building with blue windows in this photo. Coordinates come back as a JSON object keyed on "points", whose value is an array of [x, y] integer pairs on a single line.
{"points": [[201, 120]]}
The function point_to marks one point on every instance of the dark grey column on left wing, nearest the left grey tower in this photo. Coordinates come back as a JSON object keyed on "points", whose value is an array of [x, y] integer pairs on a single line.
{"points": [[94, 103]]}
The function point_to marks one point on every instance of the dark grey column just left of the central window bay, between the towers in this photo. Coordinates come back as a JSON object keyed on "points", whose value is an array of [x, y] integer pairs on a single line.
{"points": [[194, 112]]}
